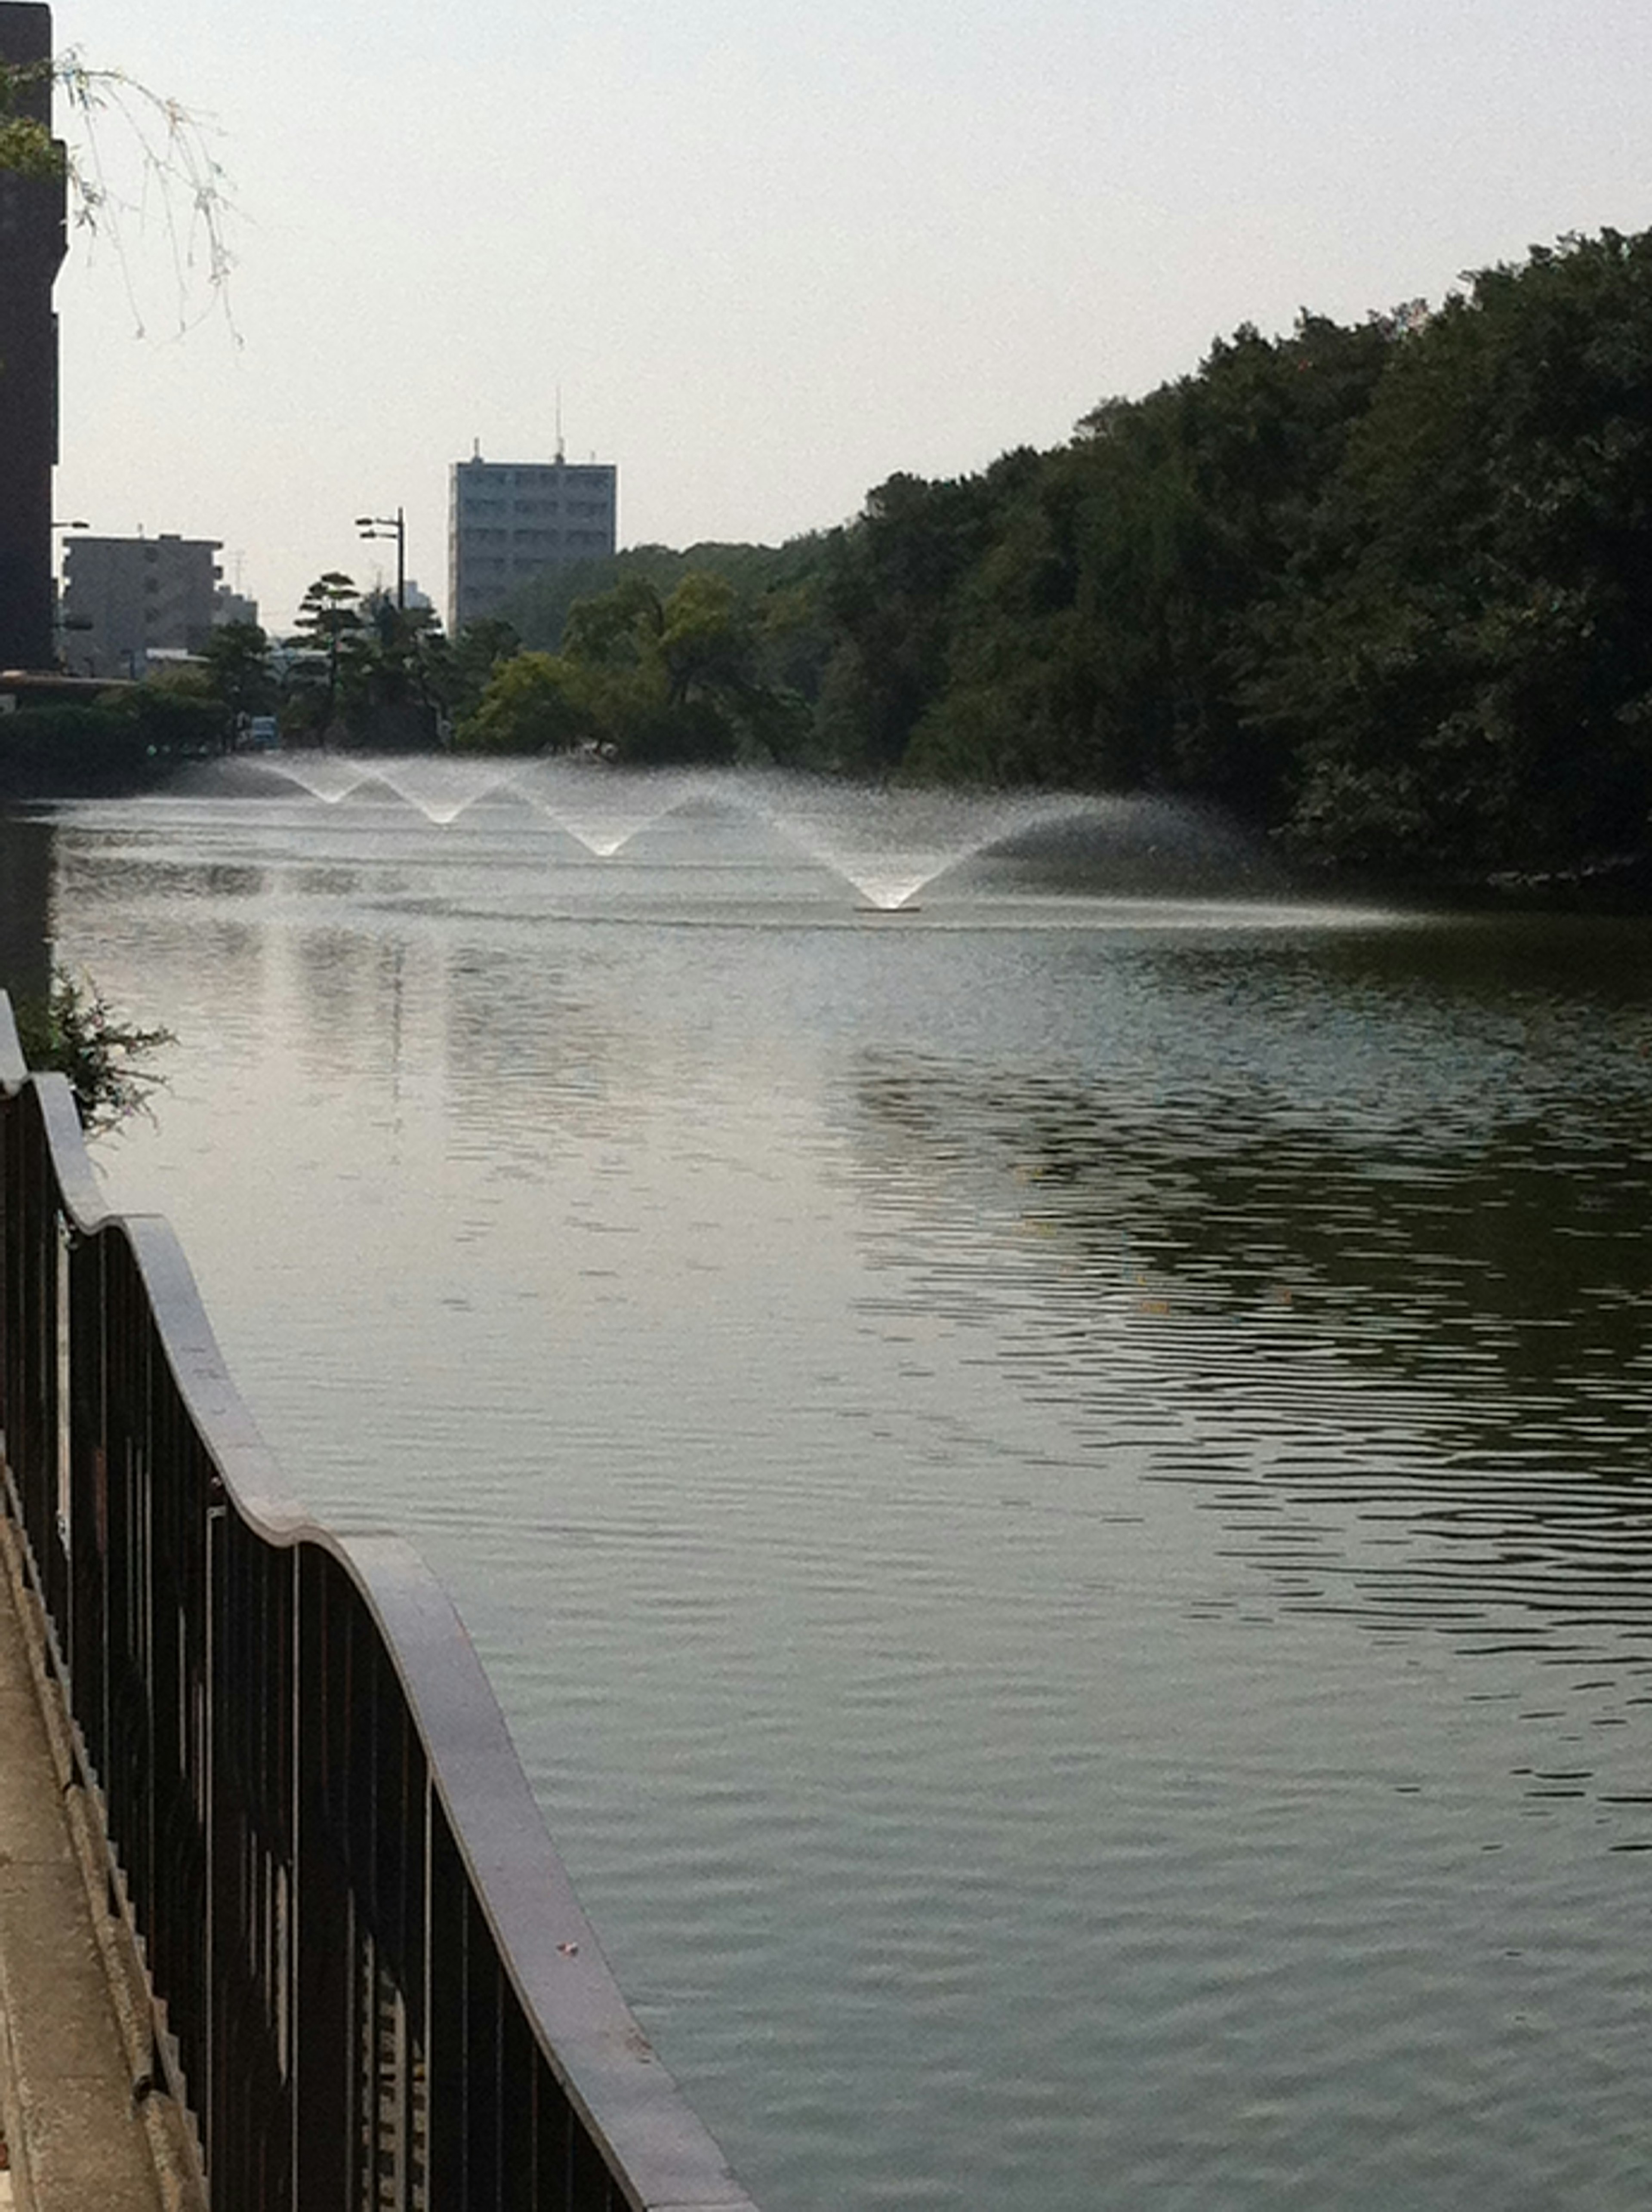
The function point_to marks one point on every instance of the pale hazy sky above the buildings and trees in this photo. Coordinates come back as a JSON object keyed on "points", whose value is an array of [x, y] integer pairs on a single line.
{"points": [[773, 253]]}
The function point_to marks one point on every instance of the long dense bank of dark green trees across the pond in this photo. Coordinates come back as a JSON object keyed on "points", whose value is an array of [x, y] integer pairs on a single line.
{"points": [[1381, 587]]}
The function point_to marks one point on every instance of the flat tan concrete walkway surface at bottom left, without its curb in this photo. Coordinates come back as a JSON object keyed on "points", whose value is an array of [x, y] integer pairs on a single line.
{"points": [[74, 2136]]}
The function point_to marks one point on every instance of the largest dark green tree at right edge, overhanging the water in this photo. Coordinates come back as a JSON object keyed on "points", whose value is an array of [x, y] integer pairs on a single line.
{"points": [[1461, 665]]}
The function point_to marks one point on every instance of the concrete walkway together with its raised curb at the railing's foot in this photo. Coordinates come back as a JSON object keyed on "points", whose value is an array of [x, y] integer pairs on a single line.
{"points": [[74, 2005]]}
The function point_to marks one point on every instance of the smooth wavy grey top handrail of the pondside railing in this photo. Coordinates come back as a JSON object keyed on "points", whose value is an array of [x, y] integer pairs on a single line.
{"points": [[658, 2149]]}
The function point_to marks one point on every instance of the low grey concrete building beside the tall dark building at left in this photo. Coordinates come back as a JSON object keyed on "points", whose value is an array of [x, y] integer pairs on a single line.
{"points": [[127, 598]]}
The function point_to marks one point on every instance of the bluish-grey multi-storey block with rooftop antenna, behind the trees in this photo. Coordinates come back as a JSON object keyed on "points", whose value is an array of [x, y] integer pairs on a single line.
{"points": [[510, 521]]}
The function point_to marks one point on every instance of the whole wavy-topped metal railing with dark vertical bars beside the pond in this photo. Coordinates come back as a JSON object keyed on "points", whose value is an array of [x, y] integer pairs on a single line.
{"points": [[370, 1979]]}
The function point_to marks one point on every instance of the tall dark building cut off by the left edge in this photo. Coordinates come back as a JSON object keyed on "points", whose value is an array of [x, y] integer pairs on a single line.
{"points": [[32, 251]]}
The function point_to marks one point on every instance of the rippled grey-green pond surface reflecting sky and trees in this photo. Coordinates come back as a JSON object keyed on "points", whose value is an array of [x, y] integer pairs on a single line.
{"points": [[1056, 1488]]}
